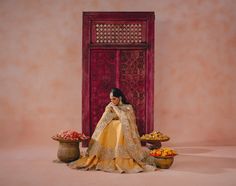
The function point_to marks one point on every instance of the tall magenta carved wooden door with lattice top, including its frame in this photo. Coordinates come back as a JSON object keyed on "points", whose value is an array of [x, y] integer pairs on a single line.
{"points": [[118, 51]]}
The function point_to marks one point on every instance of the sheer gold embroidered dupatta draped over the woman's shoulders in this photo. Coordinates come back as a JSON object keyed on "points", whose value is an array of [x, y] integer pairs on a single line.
{"points": [[126, 115]]}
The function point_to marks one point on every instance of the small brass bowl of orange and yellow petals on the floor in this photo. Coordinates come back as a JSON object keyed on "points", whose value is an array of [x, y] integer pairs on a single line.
{"points": [[164, 157]]}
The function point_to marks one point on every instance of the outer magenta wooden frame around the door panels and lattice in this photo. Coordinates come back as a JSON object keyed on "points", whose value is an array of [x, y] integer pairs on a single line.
{"points": [[88, 17]]}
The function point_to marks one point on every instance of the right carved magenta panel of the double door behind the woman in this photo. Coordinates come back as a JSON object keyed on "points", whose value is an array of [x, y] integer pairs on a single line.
{"points": [[132, 81]]}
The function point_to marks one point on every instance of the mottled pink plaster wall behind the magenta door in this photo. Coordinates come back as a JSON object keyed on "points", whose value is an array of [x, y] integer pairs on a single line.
{"points": [[40, 68]]}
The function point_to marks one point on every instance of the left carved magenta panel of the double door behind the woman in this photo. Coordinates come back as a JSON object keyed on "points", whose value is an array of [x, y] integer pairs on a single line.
{"points": [[103, 77]]}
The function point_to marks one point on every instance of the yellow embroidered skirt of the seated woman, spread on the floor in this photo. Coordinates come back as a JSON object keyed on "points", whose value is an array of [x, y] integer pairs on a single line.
{"points": [[108, 153]]}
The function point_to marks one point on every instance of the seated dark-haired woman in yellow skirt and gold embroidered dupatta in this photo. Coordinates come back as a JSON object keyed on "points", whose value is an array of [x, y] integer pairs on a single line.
{"points": [[115, 145]]}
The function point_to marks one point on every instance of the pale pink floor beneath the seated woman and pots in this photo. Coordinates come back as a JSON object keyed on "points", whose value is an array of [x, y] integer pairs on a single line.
{"points": [[200, 166]]}
